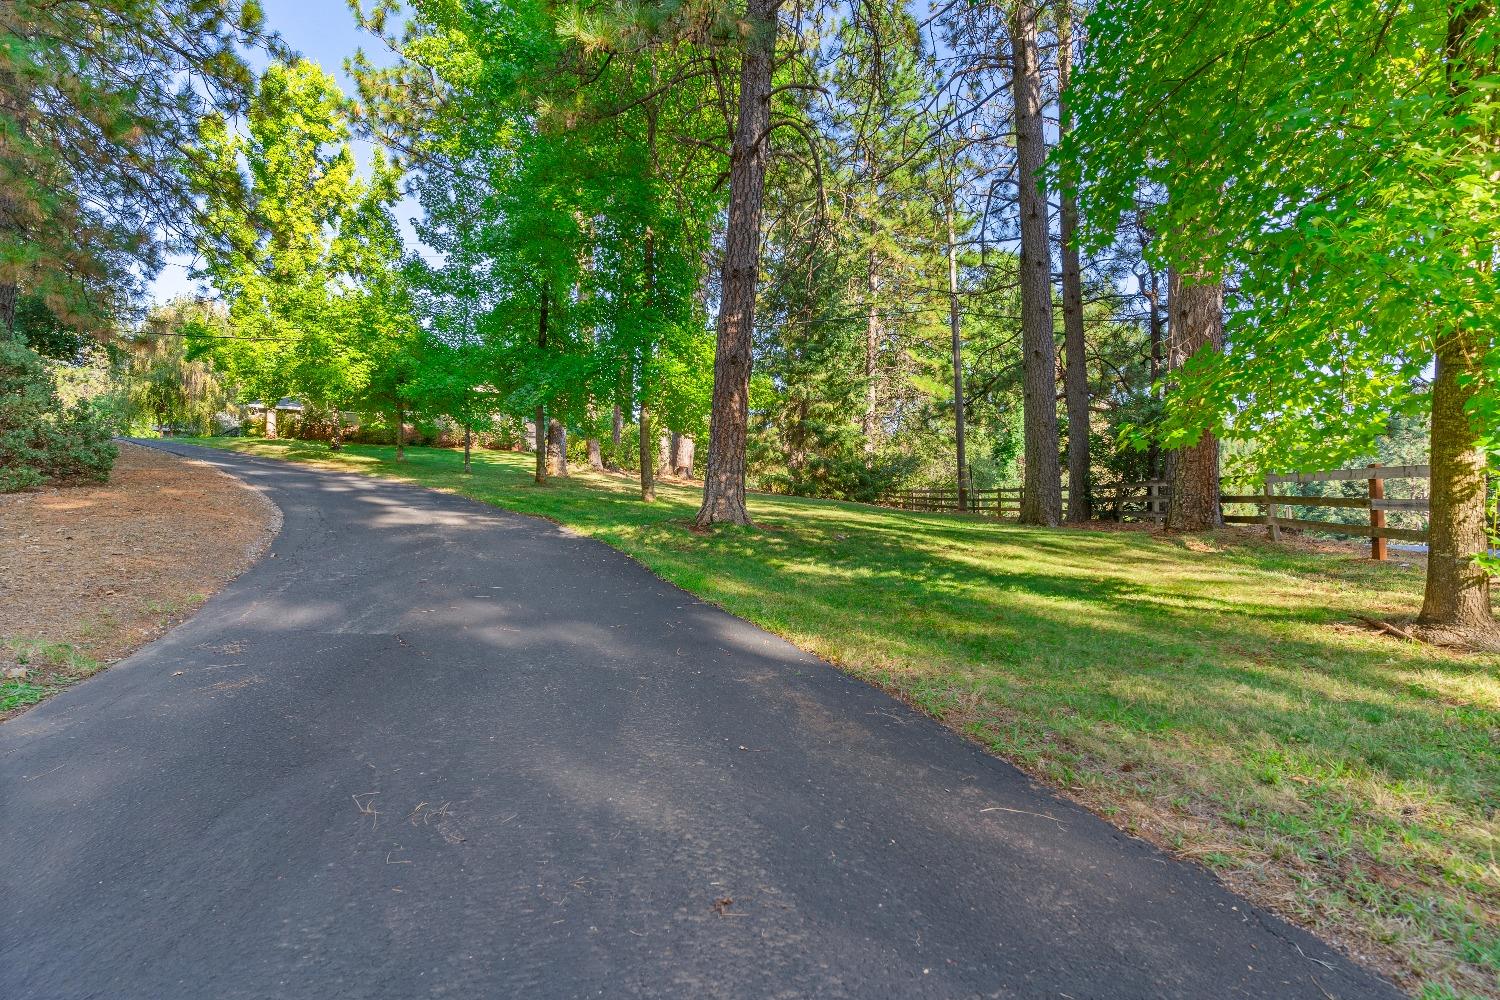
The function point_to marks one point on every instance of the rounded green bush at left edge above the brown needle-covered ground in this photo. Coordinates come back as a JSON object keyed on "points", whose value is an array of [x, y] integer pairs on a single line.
{"points": [[41, 440]]}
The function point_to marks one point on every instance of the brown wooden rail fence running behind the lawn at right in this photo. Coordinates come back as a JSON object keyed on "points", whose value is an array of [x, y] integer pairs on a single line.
{"points": [[1148, 501]]}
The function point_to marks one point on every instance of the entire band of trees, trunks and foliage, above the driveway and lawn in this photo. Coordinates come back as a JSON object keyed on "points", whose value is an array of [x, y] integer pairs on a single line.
{"points": [[850, 248]]}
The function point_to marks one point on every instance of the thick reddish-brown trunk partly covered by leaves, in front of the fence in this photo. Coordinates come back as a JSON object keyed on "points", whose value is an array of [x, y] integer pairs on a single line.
{"points": [[1196, 325]]}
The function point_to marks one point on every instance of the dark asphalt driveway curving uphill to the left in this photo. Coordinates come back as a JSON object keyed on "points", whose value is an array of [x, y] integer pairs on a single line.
{"points": [[430, 749]]}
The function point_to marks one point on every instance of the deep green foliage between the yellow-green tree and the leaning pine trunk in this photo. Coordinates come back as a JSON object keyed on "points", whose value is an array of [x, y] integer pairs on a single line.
{"points": [[569, 236]]}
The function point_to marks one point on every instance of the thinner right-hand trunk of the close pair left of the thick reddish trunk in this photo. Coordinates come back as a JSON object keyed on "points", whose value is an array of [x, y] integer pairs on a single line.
{"points": [[1076, 362]]}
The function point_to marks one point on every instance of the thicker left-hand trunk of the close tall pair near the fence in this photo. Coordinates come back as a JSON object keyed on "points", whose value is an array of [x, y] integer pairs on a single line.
{"points": [[1042, 503]]}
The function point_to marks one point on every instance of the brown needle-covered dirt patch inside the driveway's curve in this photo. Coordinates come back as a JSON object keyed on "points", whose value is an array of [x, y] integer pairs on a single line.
{"points": [[91, 573]]}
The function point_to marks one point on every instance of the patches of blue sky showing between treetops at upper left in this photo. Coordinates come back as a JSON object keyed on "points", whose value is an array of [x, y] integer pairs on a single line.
{"points": [[325, 32]]}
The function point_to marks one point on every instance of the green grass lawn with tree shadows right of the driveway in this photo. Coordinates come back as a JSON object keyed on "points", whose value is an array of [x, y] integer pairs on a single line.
{"points": [[1211, 693]]}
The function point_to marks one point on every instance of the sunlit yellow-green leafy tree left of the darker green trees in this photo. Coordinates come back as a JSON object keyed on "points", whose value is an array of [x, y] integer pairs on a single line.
{"points": [[307, 254]]}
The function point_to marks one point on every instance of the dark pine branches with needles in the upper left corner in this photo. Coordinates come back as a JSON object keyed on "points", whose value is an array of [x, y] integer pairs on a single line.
{"points": [[100, 109]]}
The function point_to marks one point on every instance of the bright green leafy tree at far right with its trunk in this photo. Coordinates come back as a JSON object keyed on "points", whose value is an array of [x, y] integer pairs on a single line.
{"points": [[1342, 163]]}
